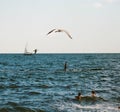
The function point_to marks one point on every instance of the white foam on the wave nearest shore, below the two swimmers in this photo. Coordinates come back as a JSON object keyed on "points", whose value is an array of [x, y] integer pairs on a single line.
{"points": [[73, 107]]}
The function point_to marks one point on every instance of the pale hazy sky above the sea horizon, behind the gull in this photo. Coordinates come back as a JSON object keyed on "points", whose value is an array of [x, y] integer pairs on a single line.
{"points": [[93, 24]]}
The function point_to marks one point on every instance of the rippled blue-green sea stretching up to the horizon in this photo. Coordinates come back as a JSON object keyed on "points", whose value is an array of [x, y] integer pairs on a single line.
{"points": [[39, 83]]}
